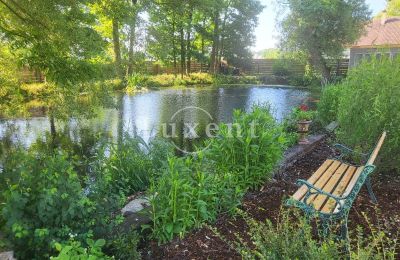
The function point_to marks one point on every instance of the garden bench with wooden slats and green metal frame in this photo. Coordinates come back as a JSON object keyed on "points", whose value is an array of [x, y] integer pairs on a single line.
{"points": [[330, 192]]}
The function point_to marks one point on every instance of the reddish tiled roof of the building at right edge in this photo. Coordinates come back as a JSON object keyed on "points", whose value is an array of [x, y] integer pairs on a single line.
{"points": [[381, 32]]}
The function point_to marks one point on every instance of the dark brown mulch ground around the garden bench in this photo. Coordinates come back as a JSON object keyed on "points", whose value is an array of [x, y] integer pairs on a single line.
{"points": [[267, 202]]}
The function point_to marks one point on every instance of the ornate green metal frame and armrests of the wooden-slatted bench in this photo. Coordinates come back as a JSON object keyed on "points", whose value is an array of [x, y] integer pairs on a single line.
{"points": [[344, 202]]}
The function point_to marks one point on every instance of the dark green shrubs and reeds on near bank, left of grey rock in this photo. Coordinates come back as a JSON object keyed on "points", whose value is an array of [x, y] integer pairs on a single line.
{"points": [[46, 198]]}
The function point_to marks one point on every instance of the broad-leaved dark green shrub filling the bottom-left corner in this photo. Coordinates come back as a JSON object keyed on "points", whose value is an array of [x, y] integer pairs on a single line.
{"points": [[44, 203]]}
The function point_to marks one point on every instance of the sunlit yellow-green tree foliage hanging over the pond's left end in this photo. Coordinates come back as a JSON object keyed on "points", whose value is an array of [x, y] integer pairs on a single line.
{"points": [[58, 39]]}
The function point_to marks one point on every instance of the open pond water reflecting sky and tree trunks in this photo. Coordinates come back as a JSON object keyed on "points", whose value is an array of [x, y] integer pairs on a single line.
{"points": [[145, 114]]}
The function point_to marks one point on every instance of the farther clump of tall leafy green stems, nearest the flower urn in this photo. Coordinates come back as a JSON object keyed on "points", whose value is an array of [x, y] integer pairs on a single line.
{"points": [[251, 146]]}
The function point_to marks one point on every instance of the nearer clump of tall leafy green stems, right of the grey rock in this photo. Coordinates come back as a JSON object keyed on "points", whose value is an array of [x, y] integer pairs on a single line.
{"points": [[186, 196]]}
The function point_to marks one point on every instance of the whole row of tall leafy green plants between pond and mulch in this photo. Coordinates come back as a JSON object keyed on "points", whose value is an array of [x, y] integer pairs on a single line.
{"points": [[194, 190]]}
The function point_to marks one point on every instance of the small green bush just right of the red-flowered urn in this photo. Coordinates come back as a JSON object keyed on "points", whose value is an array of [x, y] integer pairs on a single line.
{"points": [[329, 103]]}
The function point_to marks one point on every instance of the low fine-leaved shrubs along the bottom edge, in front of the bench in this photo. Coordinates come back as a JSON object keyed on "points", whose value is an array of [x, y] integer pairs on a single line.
{"points": [[292, 238]]}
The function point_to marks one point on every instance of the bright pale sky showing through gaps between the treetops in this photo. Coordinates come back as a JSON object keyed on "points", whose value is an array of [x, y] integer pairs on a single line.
{"points": [[266, 34]]}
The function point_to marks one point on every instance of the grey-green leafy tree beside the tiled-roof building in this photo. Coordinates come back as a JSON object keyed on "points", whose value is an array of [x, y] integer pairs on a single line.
{"points": [[322, 28]]}
